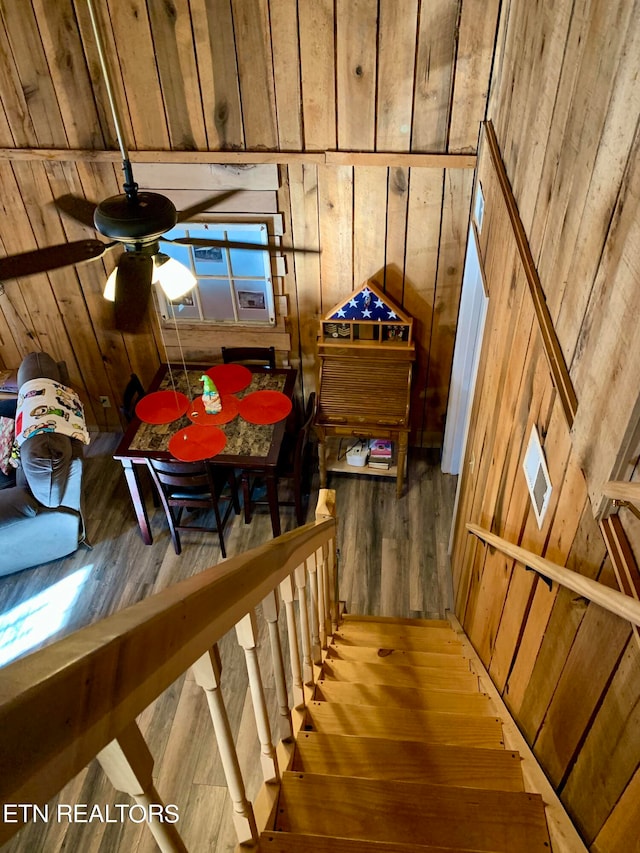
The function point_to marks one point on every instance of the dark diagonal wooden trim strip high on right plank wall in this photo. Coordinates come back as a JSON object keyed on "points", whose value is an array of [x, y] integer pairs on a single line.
{"points": [[557, 365]]}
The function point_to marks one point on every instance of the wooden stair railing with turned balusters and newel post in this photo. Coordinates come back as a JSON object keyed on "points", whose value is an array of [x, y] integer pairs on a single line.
{"points": [[79, 698]]}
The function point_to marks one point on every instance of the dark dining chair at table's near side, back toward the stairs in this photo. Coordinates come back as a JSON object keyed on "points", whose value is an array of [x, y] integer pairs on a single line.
{"points": [[194, 485]]}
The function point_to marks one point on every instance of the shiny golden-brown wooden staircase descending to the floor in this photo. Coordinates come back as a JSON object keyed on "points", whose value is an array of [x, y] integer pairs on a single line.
{"points": [[399, 750]]}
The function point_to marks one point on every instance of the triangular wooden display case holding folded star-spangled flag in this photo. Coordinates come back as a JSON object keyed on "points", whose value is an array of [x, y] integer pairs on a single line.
{"points": [[367, 317]]}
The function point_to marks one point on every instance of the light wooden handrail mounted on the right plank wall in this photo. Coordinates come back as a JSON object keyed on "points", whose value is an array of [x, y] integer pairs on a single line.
{"points": [[612, 600]]}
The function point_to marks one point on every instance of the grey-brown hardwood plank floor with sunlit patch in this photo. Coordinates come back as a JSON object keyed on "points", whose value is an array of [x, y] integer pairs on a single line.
{"points": [[392, 561]]}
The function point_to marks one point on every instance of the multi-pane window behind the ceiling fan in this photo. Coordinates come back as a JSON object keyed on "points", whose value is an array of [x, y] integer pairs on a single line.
{"points": [[234, 285]]}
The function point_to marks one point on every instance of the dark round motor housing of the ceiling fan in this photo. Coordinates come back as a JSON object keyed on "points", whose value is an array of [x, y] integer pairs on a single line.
{"points": [[145, 216]]}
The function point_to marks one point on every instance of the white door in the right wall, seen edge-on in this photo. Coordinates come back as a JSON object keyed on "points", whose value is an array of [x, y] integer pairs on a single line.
{"points": [[466, 353]]}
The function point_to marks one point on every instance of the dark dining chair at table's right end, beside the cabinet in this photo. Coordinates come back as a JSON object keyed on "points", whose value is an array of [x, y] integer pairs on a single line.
{"points": [[294, 468]]}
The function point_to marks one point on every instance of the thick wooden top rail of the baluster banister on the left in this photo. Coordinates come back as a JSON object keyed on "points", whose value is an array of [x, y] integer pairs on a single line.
{"points": [[63, 704]]}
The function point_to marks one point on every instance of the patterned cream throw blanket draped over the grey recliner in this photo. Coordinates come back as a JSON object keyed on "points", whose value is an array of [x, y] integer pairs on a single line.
{"points": [[47, 406]]}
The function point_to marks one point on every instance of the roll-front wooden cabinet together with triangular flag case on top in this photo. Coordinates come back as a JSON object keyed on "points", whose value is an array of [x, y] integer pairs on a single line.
{"points": [[366, 354]]}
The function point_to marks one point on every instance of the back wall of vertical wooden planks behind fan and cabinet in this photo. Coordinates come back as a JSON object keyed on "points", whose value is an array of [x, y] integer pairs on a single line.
{"points": [[297, 78]]}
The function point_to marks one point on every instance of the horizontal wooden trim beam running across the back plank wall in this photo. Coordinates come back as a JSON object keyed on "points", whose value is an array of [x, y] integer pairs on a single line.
{"points": [[321, 158]]}
